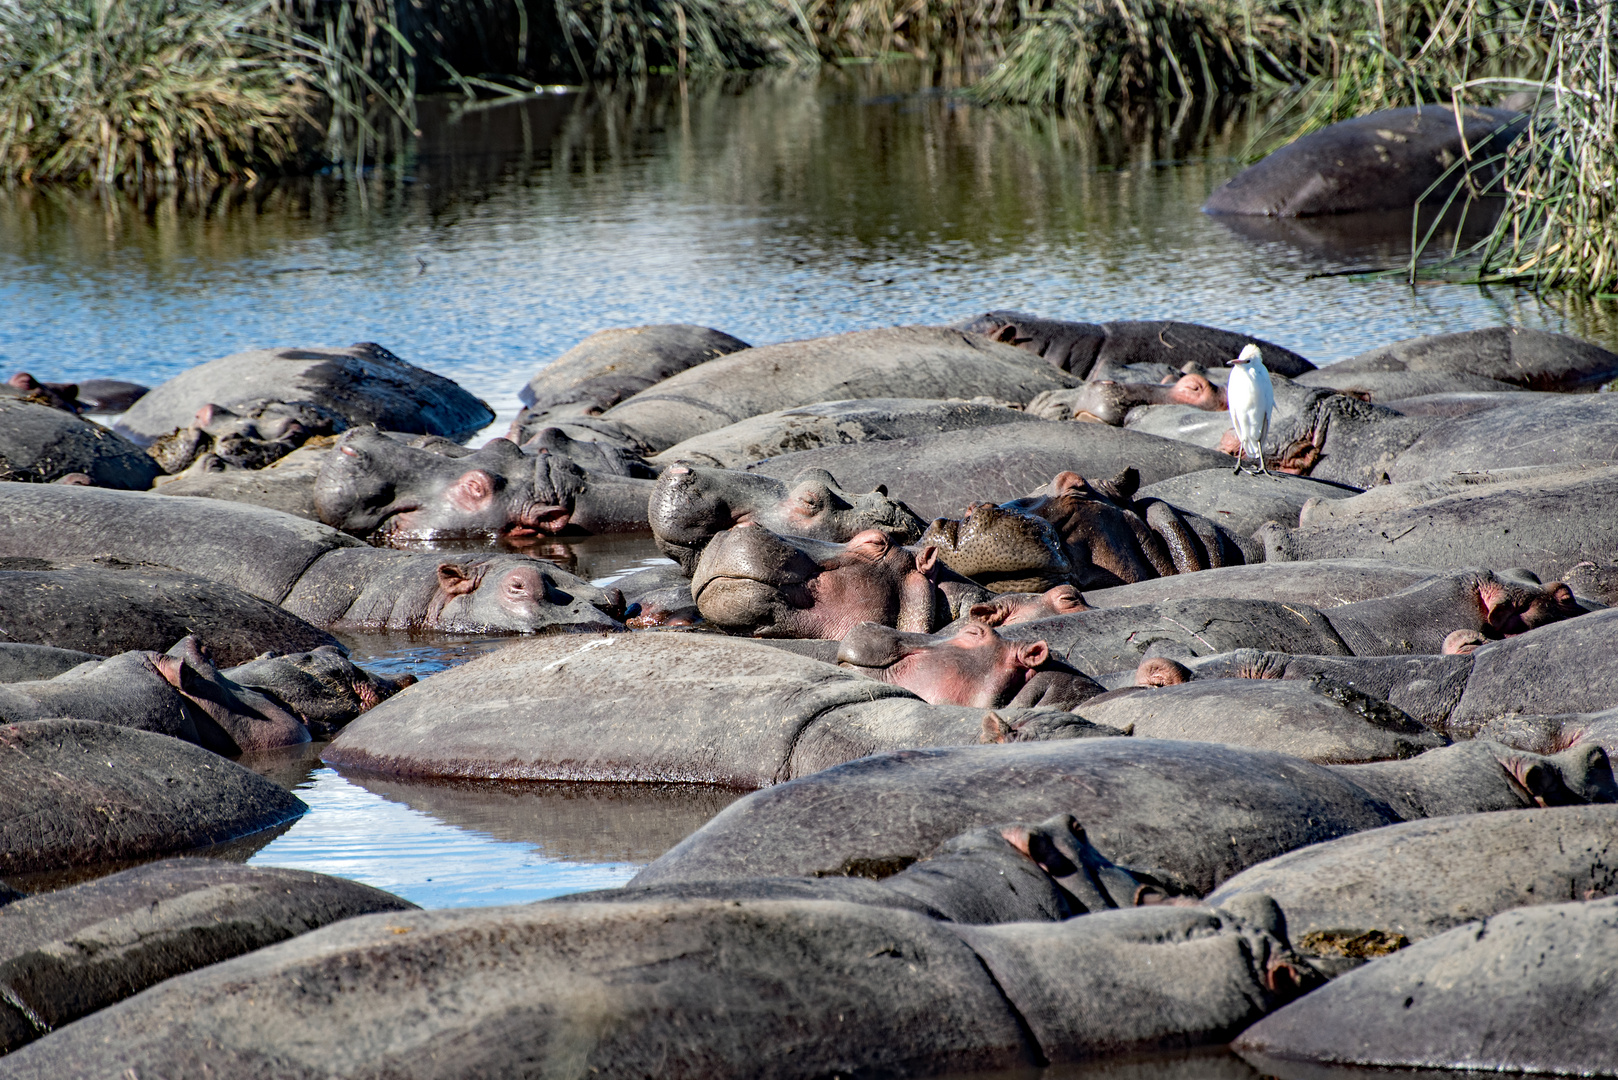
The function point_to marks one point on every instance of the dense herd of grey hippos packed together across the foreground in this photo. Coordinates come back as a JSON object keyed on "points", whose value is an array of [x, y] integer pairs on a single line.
{"points": [[1064, 741]]}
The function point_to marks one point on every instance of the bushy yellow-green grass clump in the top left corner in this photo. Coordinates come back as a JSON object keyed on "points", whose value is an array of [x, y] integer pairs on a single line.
{"points": [[145, 90]]}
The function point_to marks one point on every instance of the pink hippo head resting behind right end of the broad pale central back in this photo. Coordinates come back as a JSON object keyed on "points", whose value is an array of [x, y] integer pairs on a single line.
{"points": [[975, 666]]}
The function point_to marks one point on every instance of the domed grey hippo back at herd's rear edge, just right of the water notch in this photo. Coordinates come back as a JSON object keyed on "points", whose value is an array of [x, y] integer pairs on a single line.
{"points": [[609, 367]]}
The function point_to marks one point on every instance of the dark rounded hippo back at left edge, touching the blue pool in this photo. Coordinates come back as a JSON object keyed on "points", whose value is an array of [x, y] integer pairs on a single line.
{"points": [[161, 796]]}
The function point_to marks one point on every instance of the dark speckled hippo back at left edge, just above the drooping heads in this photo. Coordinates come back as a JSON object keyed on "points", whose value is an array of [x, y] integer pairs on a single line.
{"points": [[109, 608]]}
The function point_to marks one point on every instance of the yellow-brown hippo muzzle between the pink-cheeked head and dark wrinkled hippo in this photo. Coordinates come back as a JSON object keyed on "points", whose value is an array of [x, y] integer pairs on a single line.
{"points": [[1002, 550]]}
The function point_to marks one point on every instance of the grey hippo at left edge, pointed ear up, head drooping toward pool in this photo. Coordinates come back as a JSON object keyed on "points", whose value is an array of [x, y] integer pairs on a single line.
{"points": [[177, 694]]}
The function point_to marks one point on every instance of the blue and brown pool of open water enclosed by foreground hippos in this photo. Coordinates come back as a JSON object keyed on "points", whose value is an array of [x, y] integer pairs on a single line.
{"points": [[472, 844]]}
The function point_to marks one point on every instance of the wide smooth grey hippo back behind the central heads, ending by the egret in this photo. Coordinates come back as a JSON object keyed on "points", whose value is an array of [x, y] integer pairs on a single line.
{"points": [[942, 474]]}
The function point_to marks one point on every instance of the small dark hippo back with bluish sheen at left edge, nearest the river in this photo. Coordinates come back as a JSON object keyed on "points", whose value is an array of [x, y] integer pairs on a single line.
{"points": [[41, 446]]}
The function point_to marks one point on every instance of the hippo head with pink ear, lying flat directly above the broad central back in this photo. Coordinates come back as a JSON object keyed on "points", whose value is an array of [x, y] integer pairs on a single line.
{"points": [[517, 595]]}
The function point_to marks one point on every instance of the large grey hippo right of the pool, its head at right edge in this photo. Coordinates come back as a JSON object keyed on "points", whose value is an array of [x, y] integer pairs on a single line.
{"points": [[1187, 814]]}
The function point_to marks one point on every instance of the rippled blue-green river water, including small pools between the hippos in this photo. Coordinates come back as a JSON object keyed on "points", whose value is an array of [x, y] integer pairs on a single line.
{"points": [[777, 208]]}
